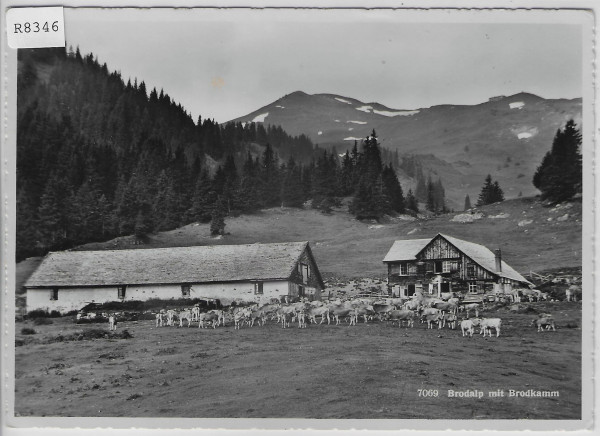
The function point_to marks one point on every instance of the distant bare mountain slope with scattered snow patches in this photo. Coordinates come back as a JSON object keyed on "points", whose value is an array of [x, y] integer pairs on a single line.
{"points": [[506, 136]]}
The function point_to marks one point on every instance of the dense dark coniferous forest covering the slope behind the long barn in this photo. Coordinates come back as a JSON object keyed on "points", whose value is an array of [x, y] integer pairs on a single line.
{"points": [[100, 157]]}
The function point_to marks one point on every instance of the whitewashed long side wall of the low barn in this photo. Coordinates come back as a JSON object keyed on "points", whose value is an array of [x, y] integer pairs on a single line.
{"points": [[74, 298]]}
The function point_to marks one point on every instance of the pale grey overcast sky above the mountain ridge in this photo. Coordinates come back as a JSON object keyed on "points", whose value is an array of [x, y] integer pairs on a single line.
{"points": [[224, 64]]}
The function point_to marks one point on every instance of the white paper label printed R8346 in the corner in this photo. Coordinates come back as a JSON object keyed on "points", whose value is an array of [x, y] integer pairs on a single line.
{"points": [[35, 27]]}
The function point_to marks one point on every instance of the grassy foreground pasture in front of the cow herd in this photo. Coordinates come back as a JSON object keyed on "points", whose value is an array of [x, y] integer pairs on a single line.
{"points": [[367, 371]]}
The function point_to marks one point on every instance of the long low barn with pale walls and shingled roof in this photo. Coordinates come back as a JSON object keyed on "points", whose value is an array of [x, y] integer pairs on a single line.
{"points": [[68, 280]]}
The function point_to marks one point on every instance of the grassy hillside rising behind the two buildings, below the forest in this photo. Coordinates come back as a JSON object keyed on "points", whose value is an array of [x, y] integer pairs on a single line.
{"points": [[345, 247]]}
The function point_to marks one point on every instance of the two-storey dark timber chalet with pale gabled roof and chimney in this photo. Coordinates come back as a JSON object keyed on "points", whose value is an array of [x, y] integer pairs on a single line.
{"points": [[447, 264]]}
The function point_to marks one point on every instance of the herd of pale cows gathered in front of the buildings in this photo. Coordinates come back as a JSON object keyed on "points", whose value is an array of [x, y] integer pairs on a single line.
{"points": [[429, 310]]}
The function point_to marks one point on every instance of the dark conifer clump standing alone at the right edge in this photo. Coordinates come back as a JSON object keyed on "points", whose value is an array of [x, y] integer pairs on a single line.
{"points": [[559, 176]]}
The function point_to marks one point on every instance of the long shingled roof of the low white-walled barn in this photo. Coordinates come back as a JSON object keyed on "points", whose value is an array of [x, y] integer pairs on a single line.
{"points": [[199, 264]]}
